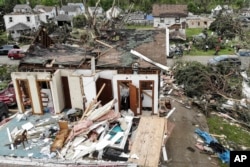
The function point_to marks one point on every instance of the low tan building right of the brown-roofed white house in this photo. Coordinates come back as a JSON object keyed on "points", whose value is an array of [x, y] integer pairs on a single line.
{"points": [[195, 21]]}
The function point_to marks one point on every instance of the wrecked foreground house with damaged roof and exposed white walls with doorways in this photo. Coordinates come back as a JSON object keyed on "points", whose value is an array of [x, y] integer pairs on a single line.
{"points": [[71, 77]]}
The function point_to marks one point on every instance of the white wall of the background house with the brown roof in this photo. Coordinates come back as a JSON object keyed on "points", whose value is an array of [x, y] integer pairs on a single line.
{"points": [[166, 22]]}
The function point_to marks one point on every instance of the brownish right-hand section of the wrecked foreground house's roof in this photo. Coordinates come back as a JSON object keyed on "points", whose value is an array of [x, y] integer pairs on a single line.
{"points": [[150, 43]]}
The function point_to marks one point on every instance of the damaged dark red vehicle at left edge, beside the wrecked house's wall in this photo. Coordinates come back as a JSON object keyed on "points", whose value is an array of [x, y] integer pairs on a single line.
{"points": [[8, 96]]}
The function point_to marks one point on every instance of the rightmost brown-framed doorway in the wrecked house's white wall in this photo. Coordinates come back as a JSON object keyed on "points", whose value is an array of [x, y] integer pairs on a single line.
{"points": [[147, 96]]}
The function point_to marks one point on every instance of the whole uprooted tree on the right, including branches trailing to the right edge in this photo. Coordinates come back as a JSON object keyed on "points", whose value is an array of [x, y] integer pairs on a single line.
{"points": [[213, 87]]}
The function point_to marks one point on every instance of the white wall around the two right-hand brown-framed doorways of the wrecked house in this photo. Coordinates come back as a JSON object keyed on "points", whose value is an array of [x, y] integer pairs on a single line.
{"points": [[135, 78]]}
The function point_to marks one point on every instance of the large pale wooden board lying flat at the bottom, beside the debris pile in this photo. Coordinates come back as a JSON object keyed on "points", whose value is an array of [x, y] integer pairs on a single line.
{"points": [[148, 141]]}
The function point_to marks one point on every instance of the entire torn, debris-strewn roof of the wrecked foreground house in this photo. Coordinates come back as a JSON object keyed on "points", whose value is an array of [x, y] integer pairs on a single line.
{"points": [[109, 53]]}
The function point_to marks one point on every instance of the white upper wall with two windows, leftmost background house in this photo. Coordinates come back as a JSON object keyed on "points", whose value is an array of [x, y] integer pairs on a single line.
{"points": [[22, 18]]}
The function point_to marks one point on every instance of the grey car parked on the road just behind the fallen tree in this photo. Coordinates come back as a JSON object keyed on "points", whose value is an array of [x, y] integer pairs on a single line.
{"points": [[231, 60]]}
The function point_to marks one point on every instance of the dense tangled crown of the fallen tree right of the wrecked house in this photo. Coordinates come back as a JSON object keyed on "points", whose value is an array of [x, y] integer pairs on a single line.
{"points": [[199, 79]]}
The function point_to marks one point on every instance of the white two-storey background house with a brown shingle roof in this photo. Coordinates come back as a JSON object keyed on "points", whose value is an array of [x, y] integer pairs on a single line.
{"points": [[166, 15]]}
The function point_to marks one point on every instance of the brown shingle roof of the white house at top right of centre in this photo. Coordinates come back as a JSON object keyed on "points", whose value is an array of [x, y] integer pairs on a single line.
{"points": [[169, 10]]}
